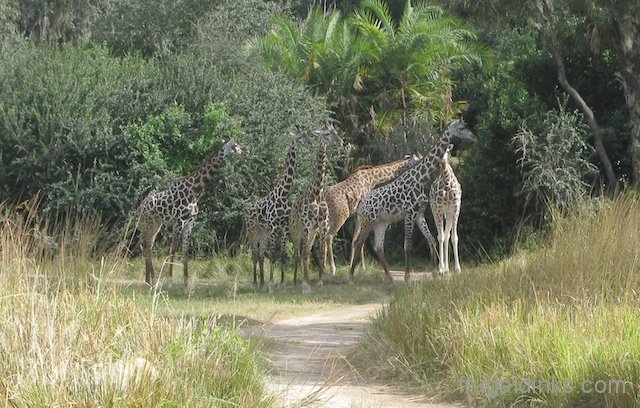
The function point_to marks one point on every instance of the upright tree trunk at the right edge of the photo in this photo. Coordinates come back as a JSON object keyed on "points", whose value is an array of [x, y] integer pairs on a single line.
{"points": [[629, 42]]}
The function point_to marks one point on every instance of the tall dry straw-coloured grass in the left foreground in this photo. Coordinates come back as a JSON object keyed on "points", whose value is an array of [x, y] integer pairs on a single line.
{"points": [[68, 340]]}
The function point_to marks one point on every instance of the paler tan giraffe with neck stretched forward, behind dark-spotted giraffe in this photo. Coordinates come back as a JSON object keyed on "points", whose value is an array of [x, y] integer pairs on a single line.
{"points": [[343, 198]]}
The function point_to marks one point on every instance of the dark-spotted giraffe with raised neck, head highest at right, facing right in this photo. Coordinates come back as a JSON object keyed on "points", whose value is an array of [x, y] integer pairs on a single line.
{"points": [[403, 198]]}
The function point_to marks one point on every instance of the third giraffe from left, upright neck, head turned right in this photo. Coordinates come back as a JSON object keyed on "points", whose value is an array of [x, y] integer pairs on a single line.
{"points": [[309, 216]]}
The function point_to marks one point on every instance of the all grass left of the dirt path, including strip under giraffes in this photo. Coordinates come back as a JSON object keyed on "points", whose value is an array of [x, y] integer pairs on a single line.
{"points": [[81, 329]]}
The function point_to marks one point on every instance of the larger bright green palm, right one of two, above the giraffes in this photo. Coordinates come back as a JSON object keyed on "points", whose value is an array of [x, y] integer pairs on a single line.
{"points": [[419, 53]]}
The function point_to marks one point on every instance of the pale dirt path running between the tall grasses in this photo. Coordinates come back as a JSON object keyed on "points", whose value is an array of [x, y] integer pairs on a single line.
{"points": [[308, 362]]}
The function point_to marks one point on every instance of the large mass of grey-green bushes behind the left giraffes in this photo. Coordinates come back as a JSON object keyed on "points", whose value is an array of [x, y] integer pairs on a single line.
{"points": [[93, 133]]}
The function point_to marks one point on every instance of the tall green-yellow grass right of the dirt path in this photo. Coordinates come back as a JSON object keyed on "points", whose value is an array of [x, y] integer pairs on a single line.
{"points": [[566, 312]]}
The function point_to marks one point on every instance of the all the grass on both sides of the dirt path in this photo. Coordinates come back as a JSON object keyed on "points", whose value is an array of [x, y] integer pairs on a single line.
{"points": [[557, 325]]}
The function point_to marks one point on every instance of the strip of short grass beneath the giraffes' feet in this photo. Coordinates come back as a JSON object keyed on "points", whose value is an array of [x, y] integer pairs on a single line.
{"points": [[222, 289]]}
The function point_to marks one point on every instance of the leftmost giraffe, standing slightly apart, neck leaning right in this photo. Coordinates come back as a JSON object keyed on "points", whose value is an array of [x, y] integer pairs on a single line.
{"points": [[177, 208]]}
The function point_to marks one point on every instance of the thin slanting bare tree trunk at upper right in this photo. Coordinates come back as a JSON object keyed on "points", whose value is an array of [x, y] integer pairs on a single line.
{"points": [[552, 46]]}
